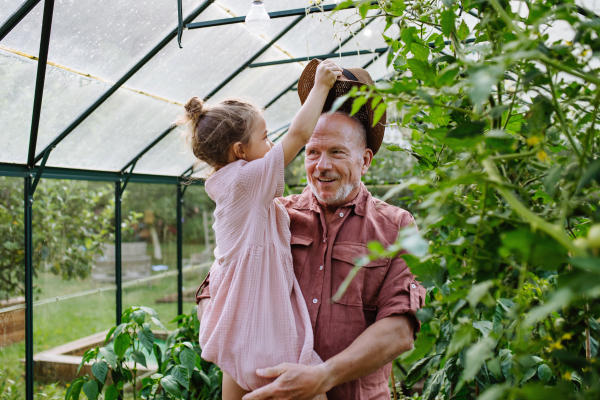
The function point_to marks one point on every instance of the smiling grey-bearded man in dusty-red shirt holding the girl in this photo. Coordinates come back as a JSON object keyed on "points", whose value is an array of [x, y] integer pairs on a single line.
{"points": [[331, 223]]}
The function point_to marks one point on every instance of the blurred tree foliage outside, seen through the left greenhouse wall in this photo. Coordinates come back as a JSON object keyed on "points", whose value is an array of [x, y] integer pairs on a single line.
{"points": [[71, 221]]}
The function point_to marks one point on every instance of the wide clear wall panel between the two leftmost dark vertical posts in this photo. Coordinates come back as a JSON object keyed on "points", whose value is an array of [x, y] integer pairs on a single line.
{"points": [[74, 300]]}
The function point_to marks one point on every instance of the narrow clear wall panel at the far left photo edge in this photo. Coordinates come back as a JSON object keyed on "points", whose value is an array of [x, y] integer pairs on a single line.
{"points": [[12, 300]]}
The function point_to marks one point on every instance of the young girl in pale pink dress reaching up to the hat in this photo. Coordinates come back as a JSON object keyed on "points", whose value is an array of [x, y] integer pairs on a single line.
{"points": [[256, 317]]}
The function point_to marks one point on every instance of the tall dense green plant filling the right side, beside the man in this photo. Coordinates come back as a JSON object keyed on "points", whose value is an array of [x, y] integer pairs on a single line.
{"points": [[502, 116]]}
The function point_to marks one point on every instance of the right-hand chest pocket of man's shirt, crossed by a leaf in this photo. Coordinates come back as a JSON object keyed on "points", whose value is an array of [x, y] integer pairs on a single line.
{"points": [[364, 289]]}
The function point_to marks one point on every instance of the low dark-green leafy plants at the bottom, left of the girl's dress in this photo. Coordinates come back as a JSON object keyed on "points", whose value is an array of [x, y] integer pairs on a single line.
{"points": [[181, 373]]}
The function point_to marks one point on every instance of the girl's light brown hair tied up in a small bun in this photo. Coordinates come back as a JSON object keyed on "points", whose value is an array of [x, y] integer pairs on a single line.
{"points": [[212, 130]]}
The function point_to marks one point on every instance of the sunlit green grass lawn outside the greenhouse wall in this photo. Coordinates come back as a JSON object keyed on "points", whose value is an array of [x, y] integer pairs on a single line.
{"points": [[60, 322]]}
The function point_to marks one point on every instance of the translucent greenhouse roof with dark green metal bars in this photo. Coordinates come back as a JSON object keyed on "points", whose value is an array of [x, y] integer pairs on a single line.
{"points": [[115, 78]]}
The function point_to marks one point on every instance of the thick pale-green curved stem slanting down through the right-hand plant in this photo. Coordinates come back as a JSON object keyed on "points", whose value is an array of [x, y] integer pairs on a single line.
{"points": [[535, 221]]}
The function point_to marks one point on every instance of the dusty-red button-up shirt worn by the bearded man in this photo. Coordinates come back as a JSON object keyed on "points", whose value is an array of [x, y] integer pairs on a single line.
{"points": [[322, 258]]}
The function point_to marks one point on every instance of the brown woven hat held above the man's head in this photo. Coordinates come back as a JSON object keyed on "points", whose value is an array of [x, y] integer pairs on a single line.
{"points": [[351, 77]]}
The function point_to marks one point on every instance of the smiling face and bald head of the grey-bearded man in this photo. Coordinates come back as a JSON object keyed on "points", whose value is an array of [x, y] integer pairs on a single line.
{"points": [[335, 160]]}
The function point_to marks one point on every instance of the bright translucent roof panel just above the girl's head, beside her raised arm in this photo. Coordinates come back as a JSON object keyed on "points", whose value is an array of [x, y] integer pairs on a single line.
{"points": [[262, 84]]}
